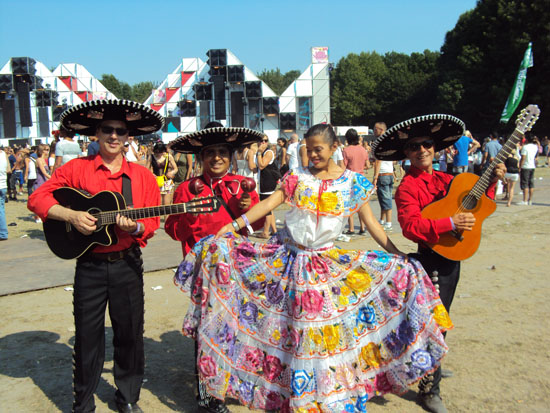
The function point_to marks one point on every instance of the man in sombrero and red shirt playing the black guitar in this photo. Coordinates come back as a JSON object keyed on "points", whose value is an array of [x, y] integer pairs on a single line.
{"points": [[107, 274]]}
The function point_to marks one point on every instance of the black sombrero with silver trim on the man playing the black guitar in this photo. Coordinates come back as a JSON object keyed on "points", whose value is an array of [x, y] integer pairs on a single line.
{"points": [[84, 118]]}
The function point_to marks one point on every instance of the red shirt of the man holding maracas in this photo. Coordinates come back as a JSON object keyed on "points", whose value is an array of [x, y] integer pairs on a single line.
{"points": [[190, 228]]}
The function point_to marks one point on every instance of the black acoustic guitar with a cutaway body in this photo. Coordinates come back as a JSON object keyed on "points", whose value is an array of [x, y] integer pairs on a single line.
{"points": [[67, 242]]}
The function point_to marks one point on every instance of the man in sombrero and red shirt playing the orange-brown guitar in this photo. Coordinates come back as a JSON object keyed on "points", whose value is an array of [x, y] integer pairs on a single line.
{"points": [[418, 139]]}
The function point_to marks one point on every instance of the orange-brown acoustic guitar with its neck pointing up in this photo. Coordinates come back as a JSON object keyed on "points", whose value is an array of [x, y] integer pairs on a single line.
{"points": [[467, 194]]}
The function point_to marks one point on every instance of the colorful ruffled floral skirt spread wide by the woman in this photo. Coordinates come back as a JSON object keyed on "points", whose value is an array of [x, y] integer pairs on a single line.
{"points": [[282, 327]]}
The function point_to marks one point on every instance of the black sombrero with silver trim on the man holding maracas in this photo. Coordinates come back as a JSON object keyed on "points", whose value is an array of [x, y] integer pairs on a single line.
{"points": [[197, 141]]}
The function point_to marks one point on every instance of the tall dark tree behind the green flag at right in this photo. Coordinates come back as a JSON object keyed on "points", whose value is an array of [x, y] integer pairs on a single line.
{"points": [[481, 56]]}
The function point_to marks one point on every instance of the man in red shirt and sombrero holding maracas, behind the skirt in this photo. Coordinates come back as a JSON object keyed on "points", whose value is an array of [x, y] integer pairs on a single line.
{"points": [[214, 146]]}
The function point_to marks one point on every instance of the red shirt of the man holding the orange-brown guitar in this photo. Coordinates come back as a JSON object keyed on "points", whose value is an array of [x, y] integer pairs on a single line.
{"points": [[418, 189]]}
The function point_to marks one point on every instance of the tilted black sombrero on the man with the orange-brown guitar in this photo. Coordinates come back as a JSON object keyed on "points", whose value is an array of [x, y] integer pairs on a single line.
{"points": [[443, 129]]}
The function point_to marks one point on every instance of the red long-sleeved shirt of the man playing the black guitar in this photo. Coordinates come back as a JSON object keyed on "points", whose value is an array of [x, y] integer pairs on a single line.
{"points": [[91, 175]]}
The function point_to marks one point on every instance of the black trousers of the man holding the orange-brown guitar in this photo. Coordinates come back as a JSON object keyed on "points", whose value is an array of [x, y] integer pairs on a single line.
{"points": [[448, 273]]}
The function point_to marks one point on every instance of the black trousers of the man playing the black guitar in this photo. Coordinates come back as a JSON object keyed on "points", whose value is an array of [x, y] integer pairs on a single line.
{"points": [[119, 284]]}
